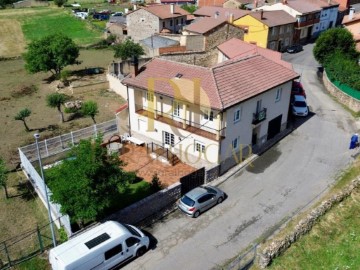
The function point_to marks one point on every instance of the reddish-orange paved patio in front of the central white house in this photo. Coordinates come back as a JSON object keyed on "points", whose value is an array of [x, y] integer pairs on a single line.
{"points": [[137, 159]]}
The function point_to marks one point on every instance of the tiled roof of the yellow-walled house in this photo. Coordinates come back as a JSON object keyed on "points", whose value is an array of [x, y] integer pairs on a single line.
{"points": [[273, 18]]}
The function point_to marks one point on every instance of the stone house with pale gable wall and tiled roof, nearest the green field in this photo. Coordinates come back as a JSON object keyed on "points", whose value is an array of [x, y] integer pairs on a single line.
{"points": [[147, 21]]}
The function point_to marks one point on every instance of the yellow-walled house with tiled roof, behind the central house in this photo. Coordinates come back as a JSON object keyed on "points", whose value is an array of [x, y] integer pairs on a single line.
{"points": [[268, 29]]}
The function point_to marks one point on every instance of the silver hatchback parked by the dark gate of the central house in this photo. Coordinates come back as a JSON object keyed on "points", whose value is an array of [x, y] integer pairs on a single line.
{"points": [[200, 199]]}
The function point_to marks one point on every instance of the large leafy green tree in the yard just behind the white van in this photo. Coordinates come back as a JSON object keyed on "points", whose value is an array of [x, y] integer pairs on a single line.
{"points": [[88, 183]]}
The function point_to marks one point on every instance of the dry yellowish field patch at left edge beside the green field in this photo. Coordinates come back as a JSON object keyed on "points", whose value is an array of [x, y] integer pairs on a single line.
{"points": [[12, 41]]}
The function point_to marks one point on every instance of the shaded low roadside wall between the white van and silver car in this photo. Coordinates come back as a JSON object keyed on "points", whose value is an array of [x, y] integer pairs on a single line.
{"points": [[150, 208]]}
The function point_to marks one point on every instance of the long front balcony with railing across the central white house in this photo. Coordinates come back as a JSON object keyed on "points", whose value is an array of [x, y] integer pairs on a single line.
{"points": [[192, 127]]}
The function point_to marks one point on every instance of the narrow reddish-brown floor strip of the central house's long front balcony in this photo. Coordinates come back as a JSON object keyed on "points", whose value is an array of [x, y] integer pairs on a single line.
{"points": [[174, 123]]}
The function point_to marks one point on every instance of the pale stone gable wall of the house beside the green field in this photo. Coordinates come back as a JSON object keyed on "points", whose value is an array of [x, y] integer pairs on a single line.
{"points": [[142, 24]]}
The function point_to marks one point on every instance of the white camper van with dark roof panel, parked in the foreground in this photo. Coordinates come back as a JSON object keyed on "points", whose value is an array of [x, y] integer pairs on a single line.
{"points": [[102, 247]]}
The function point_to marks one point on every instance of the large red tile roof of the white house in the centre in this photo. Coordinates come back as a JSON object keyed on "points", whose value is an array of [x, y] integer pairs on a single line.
{"points": [[219, 87]]}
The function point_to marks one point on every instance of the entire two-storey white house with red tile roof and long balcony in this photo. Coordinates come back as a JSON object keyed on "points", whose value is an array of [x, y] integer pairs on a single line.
{"points": [[212, 116]]}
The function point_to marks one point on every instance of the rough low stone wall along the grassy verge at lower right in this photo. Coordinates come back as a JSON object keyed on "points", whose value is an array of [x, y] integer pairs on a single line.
{"points": [[304, 226]]}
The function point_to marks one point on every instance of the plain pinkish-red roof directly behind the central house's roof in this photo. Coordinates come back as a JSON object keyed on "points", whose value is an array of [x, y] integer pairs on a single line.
{"points": [[235, 48]]}
